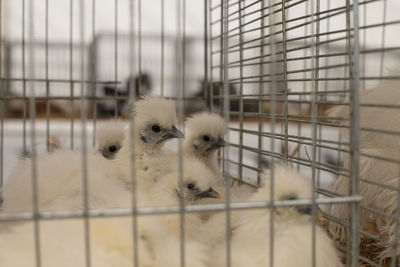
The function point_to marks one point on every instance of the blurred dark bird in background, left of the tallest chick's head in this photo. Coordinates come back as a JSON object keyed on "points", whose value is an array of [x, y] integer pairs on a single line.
{"points": [[107, 108]]}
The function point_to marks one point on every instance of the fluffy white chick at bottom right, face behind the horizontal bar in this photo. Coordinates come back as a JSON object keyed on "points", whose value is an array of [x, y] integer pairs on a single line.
{"points": [[292, 229]]}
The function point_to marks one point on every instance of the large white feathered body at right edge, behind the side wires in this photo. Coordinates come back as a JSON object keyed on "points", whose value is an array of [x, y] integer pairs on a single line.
{"points": [[375, 170]]}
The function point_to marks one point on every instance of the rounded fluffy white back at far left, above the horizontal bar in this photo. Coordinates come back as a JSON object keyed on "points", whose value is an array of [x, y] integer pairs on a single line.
{"points": [[60, 186]]}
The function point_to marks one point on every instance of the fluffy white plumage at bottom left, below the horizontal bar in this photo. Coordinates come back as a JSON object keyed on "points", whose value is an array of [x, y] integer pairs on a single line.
{"points": [[111, 244]]}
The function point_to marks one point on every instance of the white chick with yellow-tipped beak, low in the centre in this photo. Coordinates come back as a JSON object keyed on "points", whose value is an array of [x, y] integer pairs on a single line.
{"points": [[197, 180]]}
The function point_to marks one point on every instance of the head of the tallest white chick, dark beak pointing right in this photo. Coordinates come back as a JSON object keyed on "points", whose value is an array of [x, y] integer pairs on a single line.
{"points": [[155, 121]]}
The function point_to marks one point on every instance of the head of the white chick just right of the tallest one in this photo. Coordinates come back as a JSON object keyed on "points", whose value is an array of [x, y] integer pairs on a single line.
{"points": [[206, 134]]}
